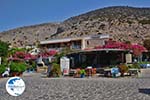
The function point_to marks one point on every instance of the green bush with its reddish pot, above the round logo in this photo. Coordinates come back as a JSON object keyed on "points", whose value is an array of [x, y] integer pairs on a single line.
{"points": [[17, 68]]}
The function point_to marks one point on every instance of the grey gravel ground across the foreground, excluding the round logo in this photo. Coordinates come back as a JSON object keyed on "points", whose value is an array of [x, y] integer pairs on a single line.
{"points": [[40, 88]]}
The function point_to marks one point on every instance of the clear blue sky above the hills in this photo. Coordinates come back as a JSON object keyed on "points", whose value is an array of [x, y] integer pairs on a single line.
{"points": [[18, 13]]}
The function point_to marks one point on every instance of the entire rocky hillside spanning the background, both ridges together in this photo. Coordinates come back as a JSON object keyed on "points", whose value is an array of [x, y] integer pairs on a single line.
{"points": [[123, 23]]}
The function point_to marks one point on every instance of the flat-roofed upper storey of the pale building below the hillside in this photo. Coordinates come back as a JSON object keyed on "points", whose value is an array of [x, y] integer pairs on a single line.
{"points": [[78, 43]]}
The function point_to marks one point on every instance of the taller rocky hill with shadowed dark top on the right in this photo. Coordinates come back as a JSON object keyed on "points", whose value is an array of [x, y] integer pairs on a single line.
{"points": [[123, 23]]}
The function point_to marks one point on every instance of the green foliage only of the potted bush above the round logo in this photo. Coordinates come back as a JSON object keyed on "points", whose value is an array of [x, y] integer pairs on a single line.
{"points": [[17, 67]]}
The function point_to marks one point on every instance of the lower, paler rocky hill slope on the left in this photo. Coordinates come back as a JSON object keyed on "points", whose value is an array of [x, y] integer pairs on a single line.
{"points": [[29, 35]]}
